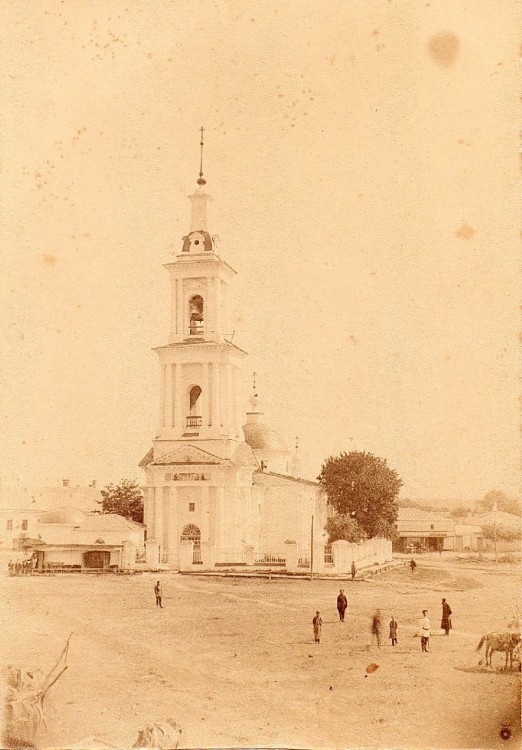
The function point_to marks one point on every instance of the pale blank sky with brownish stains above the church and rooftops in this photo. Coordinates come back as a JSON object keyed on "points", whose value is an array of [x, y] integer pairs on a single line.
{"points": [[362, 157]]}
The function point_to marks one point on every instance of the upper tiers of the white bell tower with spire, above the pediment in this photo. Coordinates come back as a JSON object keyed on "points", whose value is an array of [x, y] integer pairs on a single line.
{"points": [[201, 369]]}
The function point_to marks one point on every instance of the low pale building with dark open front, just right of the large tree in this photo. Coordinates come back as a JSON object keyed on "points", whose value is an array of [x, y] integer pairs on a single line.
{"points": [[422, 530]]}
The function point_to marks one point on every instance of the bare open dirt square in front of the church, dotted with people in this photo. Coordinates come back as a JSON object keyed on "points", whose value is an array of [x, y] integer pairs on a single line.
{"points": [[234, 663]]}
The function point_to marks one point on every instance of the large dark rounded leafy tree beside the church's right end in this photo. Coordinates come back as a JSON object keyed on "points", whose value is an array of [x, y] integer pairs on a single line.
{"points": [[362, 486]]}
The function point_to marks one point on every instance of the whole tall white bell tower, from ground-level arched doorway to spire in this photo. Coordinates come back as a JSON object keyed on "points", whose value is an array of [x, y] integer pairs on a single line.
{"points": [[199, 470]]}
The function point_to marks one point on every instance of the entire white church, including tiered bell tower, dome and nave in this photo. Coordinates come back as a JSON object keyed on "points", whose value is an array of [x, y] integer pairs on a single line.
{"points": [[221, 486]]}
